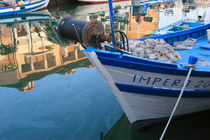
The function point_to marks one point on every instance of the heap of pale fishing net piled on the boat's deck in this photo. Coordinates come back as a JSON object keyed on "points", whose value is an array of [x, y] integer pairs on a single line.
{"points": [[154, 49]]}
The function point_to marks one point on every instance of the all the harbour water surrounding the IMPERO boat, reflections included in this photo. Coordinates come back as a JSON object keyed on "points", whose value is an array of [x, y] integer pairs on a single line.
{"points": [[50, 91]]}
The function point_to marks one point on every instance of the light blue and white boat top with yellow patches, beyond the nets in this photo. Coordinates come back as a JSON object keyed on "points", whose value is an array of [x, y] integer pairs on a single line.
{"points": [[180, 25]]}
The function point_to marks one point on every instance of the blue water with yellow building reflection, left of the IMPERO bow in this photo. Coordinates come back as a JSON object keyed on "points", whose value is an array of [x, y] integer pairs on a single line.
{"points": [[65, 97]]}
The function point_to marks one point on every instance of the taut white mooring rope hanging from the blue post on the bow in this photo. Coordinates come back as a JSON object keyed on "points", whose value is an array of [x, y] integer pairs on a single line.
{"points": [[177, 102]]}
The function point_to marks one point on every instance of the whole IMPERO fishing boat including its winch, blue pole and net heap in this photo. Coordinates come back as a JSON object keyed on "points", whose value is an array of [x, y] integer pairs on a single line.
{"points": [[147, 88]]}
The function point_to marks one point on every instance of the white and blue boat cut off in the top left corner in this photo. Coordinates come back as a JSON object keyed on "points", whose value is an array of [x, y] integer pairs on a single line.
{"points": [[26, 6]]}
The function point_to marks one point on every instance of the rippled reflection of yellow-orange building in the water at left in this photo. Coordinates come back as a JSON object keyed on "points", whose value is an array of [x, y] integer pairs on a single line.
{"points": [[32, 49]]}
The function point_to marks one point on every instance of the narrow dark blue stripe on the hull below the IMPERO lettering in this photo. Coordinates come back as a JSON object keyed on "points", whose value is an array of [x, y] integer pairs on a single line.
{"points": [[162, 92]]}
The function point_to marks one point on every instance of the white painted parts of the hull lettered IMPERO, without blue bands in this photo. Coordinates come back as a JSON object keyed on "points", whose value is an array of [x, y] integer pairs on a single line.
{"points": [[142, 106]]}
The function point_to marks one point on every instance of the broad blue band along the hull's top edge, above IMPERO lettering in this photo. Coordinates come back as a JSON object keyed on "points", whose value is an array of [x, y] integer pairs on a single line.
{"points": [[135, 63]]}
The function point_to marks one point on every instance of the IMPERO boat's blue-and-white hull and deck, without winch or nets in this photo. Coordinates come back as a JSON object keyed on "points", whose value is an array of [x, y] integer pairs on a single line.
{"points": [[148, 89]]}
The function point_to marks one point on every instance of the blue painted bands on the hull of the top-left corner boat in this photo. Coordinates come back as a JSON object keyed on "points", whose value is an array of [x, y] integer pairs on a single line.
{"points": [[21, 10]]}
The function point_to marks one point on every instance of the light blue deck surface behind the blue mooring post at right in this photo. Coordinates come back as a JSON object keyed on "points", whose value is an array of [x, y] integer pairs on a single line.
{"points": [[200, 50]]}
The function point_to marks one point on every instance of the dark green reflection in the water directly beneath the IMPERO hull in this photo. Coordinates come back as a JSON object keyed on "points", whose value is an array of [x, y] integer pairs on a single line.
{"points": [[191, 127]]}
